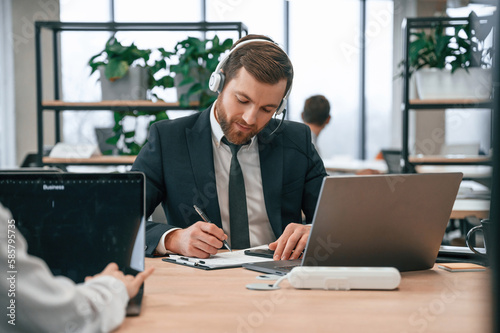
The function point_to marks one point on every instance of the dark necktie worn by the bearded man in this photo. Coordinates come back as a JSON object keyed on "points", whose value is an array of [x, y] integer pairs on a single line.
{"points": [[238, 216]]}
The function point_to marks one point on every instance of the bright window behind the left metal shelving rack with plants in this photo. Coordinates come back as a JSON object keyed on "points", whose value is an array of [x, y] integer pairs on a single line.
{"points": [[78, 47]]}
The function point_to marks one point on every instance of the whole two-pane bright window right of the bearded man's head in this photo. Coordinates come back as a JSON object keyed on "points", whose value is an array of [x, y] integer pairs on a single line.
{"points": [[326, 48]]}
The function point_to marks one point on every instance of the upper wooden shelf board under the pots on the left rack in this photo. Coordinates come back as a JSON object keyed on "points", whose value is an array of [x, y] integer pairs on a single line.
{"points": [[116, 105]]}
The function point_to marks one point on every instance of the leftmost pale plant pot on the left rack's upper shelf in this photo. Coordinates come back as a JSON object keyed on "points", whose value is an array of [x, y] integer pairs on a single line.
{"points": [[133, 86]]}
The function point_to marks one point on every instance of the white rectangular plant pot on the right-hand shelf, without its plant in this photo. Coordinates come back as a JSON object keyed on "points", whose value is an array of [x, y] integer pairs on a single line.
{"points": [[433, 83]]}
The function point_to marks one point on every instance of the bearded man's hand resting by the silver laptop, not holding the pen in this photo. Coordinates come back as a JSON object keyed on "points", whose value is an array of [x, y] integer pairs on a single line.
{"points": [[293, 238]]}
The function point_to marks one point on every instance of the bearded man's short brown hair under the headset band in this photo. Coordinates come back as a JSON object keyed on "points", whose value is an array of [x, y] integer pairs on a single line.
{"points": [[266, 62]]}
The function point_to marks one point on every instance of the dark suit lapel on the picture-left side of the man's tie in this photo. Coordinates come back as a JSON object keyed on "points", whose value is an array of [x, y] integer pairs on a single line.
{"points": [[199, 143]]}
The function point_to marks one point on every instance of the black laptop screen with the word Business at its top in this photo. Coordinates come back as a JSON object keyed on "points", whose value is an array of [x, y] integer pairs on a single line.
{"points": [[78, 223]]}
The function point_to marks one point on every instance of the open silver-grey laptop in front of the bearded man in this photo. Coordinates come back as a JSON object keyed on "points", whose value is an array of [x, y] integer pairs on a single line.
{"points": [[380, 220]]}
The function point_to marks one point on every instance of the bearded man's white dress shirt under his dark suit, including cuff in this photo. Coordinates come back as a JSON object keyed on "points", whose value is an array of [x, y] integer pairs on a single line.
{"points": [[258, 222]]}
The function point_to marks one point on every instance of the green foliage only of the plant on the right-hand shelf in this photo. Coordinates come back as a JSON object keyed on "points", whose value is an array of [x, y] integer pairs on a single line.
{"points": [[438, 48]]}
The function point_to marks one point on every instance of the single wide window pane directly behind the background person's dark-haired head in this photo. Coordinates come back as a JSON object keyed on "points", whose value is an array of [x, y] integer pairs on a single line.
{"points": [[324, 47]]}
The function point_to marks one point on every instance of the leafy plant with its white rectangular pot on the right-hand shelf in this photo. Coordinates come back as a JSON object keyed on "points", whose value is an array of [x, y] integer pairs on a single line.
{"points": [[451, 63]]}
